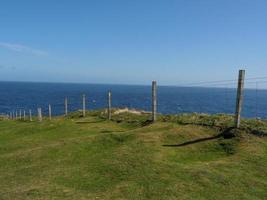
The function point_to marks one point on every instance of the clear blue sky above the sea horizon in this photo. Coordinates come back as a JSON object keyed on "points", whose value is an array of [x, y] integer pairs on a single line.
{"points": [[132, 41]]}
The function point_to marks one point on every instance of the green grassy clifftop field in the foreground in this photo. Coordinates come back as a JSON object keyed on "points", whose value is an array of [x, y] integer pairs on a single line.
{"points": [[179, 157]]}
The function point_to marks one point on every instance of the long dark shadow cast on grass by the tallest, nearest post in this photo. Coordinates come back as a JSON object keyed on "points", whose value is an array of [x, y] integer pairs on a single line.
{"points": [[227, 133]]}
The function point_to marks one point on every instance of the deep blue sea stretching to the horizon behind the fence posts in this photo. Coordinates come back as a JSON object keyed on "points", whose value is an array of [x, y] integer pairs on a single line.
{"points": [[171, 99]]}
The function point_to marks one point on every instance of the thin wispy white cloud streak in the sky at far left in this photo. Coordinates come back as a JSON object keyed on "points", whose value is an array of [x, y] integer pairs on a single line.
{"points": [[22, 49]]}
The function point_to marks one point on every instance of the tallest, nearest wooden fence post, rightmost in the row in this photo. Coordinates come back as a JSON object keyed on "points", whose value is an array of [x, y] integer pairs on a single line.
{"points": [[239, 97]]}
